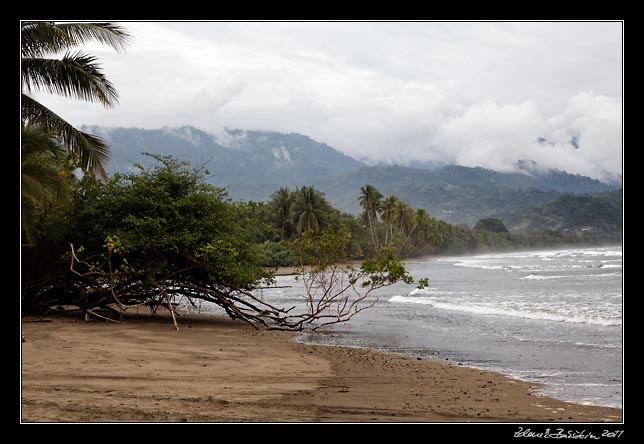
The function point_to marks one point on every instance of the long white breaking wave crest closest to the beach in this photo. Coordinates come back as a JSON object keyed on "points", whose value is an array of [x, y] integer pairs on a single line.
{"points": [[526, 313]]}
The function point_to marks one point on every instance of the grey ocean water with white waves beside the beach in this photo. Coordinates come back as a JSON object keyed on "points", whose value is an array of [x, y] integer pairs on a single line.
{"points": [[552, 317]]}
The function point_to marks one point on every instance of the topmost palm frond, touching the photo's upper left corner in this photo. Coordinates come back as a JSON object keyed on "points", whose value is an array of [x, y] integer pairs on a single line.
{"points": [[42, 38]]}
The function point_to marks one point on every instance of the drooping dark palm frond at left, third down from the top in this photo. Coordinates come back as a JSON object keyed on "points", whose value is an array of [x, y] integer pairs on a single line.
{"points": [[91, 152]]}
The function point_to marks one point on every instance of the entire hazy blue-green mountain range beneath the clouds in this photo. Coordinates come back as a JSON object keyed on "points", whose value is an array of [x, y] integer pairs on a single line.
{"points": [[253, 164]]}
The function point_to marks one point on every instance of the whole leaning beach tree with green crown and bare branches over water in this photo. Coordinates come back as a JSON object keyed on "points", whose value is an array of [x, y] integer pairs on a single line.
{"points": [[161, 236]]}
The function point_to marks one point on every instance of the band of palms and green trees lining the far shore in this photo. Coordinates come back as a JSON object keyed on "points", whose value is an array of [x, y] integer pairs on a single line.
{"points": [[389, 222]]}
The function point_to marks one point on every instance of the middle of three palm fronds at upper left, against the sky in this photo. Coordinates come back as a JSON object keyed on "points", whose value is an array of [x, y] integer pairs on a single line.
{"points": [[76, 75]]}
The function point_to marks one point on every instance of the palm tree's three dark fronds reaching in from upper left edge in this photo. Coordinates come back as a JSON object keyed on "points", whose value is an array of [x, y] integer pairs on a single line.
{"points": [[76, 75]]}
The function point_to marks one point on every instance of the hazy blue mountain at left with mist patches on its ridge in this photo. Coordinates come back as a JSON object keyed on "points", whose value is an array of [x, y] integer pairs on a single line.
{"points": [[234, 158]]}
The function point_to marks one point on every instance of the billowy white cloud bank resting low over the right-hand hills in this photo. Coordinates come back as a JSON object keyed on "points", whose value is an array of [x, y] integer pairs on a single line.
{"points": [[585, 138]]}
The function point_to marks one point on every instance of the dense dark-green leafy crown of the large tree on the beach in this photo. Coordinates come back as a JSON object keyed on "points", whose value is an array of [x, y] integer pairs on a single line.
{"points": [[144, 237]]}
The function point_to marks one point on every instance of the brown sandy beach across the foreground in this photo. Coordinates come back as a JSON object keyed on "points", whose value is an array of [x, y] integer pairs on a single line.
{"points": [[217, 370]]}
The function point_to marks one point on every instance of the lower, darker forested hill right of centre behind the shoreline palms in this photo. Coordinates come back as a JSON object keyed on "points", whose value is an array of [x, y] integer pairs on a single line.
{"points": [[457, 194]]}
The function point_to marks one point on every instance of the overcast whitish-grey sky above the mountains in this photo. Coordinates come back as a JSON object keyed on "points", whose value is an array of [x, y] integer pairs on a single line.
{"points": [[484, 94]]}
